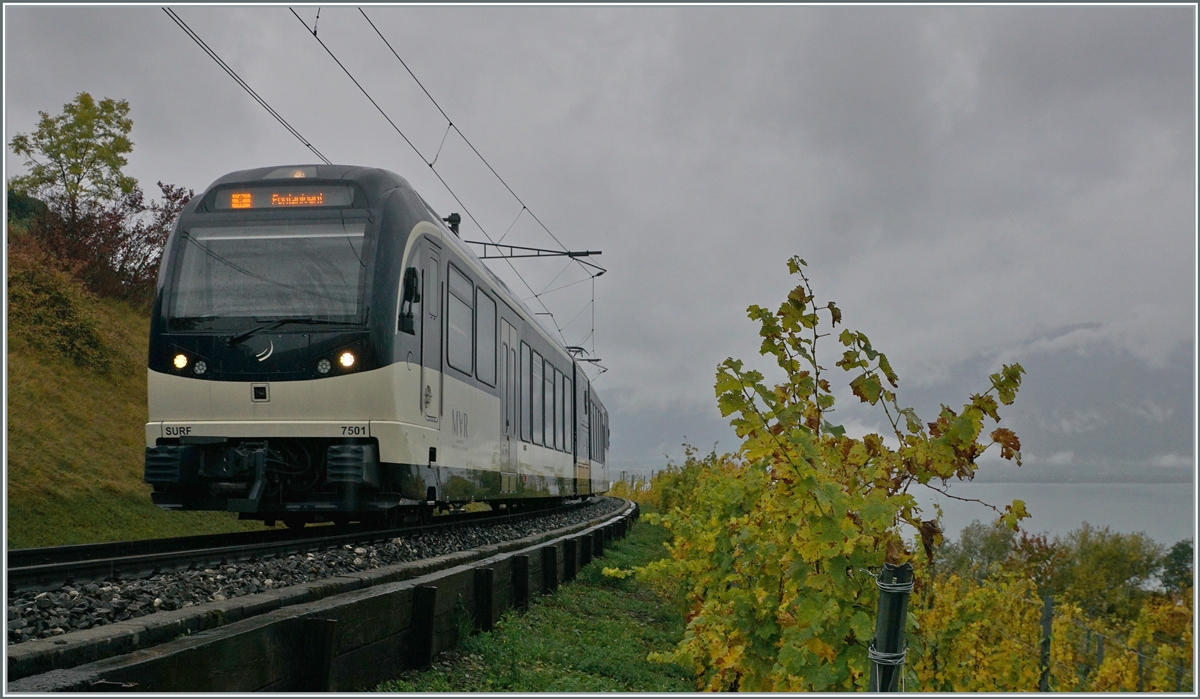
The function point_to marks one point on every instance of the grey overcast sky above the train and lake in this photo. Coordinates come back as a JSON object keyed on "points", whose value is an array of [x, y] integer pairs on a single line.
{"points": [[970, 186]]}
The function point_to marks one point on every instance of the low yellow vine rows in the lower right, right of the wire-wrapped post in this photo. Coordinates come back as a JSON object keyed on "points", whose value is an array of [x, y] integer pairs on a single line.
{"points": [[986, 636]]}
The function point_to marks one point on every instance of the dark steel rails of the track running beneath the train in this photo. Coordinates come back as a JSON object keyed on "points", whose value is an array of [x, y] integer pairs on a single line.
{"points": [[53, 567]]}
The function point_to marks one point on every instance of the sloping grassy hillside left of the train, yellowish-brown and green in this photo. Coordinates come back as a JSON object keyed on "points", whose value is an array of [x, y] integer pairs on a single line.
{"points": [[77, 408]]}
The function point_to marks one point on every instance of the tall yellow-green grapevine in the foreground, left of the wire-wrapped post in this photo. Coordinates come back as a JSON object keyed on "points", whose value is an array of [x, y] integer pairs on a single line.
{"points": [[772, 546]]}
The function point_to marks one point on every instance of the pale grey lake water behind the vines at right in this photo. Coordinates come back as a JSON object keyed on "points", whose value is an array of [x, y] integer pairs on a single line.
{"points": [[1165, 511]]}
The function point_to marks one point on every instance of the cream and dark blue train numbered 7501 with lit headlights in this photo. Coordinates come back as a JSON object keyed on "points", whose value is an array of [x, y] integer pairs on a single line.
{"points": [[325, 348]]}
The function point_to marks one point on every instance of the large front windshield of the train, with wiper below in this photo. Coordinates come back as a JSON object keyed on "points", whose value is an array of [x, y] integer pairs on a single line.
{"points": [[283, 271]]}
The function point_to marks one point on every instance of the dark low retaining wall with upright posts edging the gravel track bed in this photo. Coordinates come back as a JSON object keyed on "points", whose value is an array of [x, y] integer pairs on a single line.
{"points": [[347, 632]]}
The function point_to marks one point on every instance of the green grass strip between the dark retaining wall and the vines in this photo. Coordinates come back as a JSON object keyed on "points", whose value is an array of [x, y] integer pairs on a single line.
{"points": [[592, 636]]}
